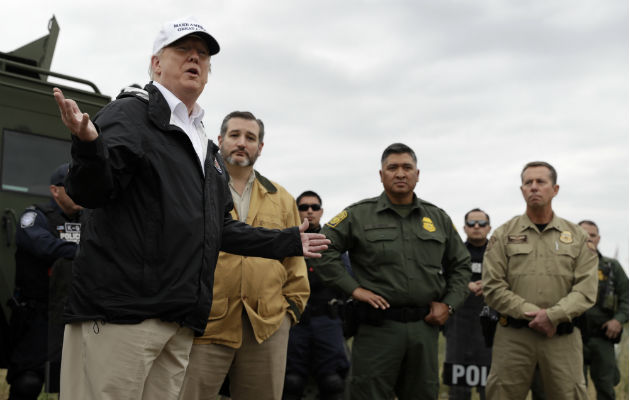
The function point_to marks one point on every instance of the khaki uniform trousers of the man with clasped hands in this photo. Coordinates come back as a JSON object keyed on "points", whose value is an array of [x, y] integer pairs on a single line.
{"points": [[514, 357]]}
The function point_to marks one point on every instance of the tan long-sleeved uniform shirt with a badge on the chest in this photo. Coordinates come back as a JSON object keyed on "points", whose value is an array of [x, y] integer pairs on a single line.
{"points": [[526, 270]]}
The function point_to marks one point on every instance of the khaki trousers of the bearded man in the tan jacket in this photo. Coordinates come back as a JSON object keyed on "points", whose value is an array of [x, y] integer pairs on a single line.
{"points": [[256, 370]]}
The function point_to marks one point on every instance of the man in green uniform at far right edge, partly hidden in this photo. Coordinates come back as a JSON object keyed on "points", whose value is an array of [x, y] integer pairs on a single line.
{"points": [[605, 320]]}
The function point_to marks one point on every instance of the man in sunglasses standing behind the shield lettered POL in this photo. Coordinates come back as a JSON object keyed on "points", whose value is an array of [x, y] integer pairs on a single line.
{"points": [[467, 359]]}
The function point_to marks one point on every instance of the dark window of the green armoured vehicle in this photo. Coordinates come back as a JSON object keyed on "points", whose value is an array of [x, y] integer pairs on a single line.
{"points": [[28, 160]]}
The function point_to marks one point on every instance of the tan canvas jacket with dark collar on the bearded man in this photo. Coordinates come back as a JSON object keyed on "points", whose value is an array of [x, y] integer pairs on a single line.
{"points": [[267, 289]]}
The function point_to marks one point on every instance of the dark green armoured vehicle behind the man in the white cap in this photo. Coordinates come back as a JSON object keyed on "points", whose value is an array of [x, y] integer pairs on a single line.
{"points": [[33, 140]]}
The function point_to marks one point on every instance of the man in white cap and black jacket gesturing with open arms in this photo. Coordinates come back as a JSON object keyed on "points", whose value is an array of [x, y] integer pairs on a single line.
{"points": [[160, 212]]}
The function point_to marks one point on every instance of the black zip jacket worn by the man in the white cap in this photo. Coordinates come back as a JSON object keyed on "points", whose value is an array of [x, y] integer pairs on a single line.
{"points": [[151, 243]]}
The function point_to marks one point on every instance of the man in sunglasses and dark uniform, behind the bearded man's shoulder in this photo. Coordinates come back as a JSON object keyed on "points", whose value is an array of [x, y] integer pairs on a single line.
{"points": [[316, 343]]}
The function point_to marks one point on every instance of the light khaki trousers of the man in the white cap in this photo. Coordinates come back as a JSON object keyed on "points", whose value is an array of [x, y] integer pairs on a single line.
{"points": [[119, 362]]}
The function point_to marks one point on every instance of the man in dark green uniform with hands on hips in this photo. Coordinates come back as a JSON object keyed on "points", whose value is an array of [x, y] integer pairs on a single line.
{"points": [[410, 271]]}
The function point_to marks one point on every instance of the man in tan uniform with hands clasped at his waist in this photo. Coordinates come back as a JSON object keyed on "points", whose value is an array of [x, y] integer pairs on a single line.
{"points": [[540, 275]]}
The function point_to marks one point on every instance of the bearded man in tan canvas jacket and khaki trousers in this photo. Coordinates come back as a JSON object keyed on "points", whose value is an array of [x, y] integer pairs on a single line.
{"points": [[255, 300]]}
